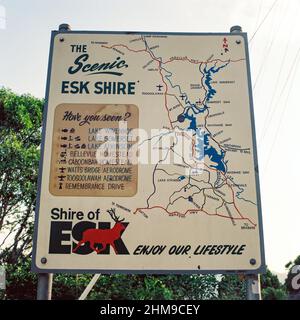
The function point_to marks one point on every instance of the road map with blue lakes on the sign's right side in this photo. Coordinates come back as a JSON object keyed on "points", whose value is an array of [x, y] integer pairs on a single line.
{"points": [[199, 92]]}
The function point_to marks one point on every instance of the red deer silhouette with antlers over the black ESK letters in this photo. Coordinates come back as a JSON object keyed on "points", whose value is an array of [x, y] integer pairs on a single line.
{"points": [[104, 237]]}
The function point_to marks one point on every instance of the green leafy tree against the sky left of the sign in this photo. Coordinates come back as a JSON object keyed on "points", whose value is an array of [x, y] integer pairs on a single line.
{"points": [[20, 136]]}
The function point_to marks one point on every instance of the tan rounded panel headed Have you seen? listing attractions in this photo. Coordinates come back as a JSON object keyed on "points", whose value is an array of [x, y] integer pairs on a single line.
{"points": [[90, 150]]}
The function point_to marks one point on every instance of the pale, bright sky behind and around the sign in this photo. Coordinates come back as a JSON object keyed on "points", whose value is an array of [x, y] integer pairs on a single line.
{"points": [[275, 53]]}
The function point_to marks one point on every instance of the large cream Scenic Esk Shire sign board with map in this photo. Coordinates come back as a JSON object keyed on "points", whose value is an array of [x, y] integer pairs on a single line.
{"points": [[148, 159]]}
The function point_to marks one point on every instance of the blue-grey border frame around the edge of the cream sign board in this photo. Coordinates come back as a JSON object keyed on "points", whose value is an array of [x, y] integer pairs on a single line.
{"points": [[260, 269]]}
